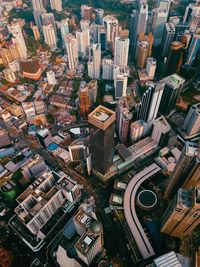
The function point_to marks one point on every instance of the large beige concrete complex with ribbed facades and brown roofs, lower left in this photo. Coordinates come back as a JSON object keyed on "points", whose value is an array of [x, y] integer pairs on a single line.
{"points": [[40, 201]]}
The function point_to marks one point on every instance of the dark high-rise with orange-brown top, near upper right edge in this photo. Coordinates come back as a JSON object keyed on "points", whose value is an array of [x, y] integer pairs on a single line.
{"points": [[174, 59]]}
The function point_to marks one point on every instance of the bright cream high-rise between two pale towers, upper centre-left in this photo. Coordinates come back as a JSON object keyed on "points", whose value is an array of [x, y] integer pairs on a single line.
{"points": [[83, 41]]}
